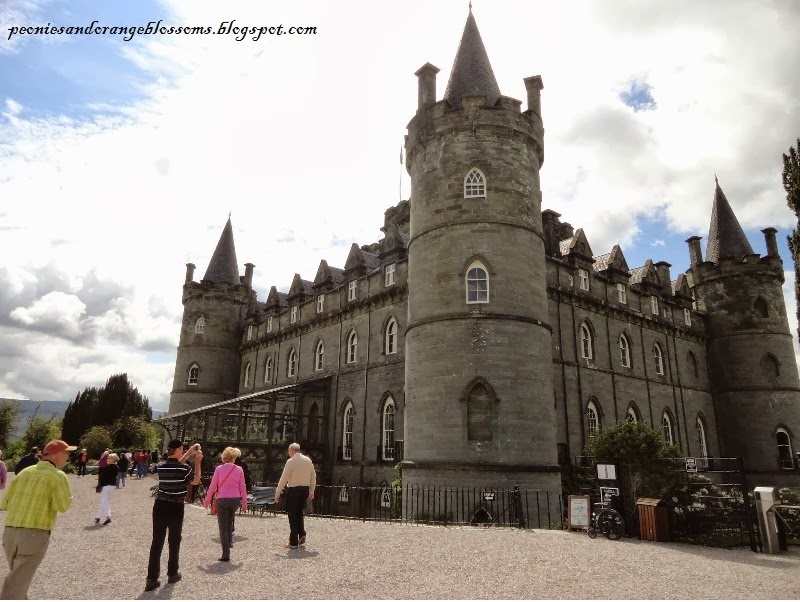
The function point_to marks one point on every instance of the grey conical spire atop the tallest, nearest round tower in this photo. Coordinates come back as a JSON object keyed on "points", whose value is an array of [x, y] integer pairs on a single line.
{"points": [[472, 73]]}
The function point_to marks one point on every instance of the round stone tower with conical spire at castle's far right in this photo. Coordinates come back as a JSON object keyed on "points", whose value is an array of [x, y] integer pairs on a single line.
{"points": [[753, 368]]}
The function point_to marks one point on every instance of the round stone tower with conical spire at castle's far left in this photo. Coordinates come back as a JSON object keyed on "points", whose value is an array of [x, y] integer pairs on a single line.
{"points": [[208, 363]]}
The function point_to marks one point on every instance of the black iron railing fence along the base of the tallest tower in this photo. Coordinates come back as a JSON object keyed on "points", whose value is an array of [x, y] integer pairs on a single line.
{"points": [[478, 506]]}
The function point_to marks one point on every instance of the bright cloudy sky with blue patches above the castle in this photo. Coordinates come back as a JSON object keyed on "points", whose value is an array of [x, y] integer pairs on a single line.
{"points": [[120, 160]]}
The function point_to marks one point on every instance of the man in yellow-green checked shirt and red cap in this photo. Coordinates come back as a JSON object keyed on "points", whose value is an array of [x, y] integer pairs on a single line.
{"points": [[33, 501]]}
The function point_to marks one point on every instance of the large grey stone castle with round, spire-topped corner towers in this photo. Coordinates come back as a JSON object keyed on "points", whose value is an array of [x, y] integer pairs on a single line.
{"points": [[482, 340]]}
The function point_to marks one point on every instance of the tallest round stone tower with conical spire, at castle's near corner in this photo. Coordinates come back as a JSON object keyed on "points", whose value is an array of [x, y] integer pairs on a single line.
{"points": [[478, 372]]}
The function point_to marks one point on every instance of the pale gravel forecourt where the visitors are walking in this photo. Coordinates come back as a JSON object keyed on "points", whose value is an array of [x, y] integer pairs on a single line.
{"points": [[350, 559]]}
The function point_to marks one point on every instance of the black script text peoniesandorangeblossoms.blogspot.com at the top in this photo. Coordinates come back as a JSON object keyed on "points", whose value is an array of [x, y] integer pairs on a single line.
{"points": [[225, 28]]}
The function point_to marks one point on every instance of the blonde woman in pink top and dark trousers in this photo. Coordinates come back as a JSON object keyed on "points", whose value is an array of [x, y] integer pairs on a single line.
{"points": [[228, 484]]}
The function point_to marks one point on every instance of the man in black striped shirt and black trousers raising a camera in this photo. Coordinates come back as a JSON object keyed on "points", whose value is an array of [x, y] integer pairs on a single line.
{"points": [[174, 477]]}
